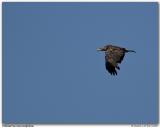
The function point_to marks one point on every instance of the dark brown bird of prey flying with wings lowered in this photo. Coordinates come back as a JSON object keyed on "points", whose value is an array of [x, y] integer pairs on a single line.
{"points": [[113, 56]]}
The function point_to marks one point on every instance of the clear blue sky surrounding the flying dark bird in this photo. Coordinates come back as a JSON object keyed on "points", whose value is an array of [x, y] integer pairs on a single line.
{"points": [[52, 72]]}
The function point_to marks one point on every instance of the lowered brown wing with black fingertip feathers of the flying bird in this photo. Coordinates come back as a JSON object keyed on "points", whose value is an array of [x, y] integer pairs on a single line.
{"points": [[113, 56]]}
